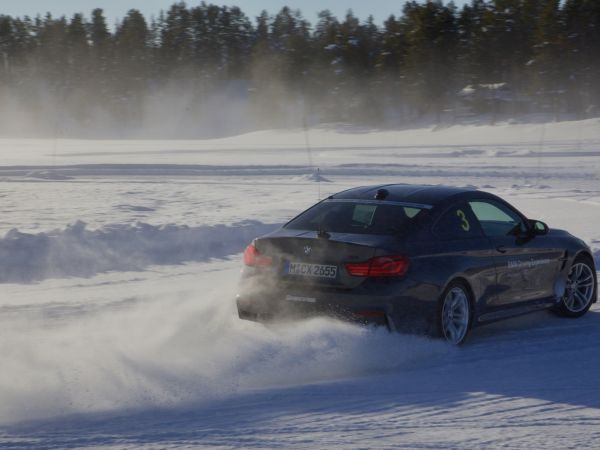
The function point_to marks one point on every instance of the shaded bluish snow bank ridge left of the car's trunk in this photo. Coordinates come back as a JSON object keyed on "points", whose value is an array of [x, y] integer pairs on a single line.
{"points": [[77, 251]]}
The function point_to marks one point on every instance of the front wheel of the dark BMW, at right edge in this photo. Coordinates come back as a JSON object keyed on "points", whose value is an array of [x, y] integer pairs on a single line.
{"points": [[581, 289]]}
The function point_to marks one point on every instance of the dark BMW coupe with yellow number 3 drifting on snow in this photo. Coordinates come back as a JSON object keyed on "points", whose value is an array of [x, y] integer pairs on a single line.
{"points": [[433, 259]]}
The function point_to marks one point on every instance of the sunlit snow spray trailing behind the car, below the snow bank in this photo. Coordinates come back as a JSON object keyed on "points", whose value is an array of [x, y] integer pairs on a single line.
{"points": [[169, 346]]}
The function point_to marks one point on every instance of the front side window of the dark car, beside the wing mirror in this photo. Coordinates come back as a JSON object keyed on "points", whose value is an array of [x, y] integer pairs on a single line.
{"points": [[496, 219]]}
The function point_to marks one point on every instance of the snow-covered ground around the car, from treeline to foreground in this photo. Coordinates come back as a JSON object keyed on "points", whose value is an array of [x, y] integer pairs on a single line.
{"points": [[118, 269]]}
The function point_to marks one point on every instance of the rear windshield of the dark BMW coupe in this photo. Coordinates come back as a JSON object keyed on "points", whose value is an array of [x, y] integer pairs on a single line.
{"points": [[358, 217]]}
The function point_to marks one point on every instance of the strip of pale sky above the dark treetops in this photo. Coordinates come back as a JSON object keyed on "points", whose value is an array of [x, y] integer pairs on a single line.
{"points": [[113, 9]]}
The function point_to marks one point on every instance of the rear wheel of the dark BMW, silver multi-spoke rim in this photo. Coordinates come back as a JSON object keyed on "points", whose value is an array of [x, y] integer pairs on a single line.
{"points": [[455, 313]]}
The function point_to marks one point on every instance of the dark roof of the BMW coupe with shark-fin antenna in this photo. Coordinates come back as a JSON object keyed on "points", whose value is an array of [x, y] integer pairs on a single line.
{"points": [[411, 193]]}
